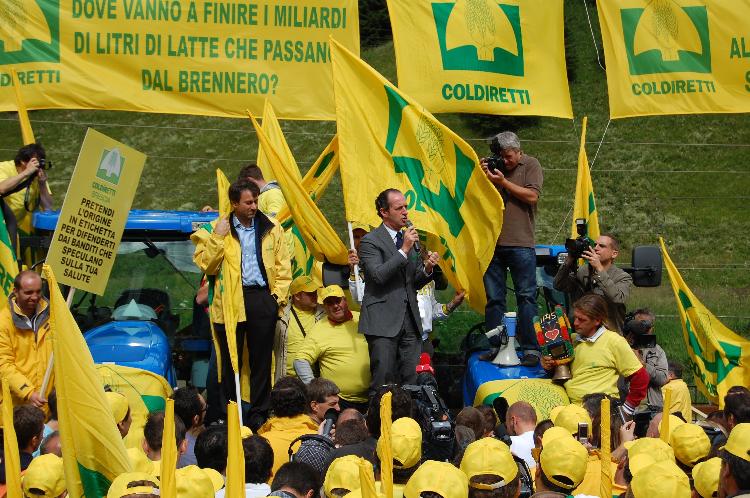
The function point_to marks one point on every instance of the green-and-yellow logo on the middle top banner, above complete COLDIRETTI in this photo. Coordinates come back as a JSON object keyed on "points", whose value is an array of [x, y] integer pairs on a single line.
{"points": [[479, 35]]}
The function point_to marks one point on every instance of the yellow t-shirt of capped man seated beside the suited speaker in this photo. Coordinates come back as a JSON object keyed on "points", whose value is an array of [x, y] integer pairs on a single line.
{"points": [[342, 354]]}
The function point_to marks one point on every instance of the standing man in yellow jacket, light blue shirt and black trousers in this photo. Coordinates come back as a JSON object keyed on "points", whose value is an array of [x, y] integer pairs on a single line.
{"points": [[265, 274]]}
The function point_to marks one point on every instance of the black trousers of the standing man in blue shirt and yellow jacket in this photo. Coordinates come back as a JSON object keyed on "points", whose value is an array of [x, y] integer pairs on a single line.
{"points": [[261, 313]]}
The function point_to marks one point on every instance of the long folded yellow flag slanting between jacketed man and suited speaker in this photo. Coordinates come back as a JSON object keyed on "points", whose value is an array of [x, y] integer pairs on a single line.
{"points": [[321, 239]]}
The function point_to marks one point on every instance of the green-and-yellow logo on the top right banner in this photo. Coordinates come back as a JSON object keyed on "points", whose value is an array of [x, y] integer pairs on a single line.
{"points": [[665, 37]]}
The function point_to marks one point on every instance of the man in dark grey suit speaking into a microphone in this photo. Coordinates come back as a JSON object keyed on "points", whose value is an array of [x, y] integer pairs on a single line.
{"points": [[393, 272]]}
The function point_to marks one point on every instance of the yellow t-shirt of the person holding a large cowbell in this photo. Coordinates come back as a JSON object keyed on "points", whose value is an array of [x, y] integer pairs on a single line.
{"points": [[598, 365]]}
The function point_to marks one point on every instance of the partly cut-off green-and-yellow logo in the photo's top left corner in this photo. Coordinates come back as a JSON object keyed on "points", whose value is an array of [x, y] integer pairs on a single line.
{"points": [[29, 31]]}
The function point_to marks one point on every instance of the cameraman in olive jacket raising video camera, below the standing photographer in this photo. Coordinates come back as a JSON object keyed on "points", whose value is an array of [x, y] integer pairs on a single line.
{"points": [[599, 276]]}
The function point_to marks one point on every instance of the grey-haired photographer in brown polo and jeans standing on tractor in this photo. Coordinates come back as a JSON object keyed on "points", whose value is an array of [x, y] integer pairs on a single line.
{"points": [[518, 177]]}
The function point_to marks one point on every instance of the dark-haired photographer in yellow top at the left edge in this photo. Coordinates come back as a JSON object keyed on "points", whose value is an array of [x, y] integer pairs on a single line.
{"points": [[23, 184]]}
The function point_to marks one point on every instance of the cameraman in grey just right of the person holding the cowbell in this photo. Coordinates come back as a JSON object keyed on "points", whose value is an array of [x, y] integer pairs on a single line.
{"points": [[639, 332]]}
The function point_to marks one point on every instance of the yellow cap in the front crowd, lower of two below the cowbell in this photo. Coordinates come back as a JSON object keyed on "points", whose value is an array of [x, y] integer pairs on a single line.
{"points": [[564, 461]]}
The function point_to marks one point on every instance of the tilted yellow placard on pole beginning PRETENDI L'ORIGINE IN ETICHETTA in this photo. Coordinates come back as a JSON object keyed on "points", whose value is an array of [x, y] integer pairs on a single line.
{"points": [[94, 212]]}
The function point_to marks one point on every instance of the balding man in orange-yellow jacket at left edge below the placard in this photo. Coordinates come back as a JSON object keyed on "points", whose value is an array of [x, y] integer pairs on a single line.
{"points": [[25, 344]]}
